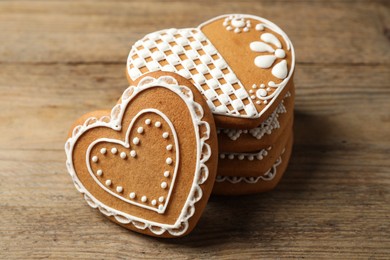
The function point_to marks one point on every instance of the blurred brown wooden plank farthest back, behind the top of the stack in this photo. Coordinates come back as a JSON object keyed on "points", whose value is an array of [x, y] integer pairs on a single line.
{"points": [[104, 32]]}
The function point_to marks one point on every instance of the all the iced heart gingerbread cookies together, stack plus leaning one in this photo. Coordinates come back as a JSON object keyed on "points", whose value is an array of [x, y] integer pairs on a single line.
{"points": [[208, 110]]}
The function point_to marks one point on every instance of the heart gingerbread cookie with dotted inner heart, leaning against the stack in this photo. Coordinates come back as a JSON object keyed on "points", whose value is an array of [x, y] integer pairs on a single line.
{"points": [[149, 164]]}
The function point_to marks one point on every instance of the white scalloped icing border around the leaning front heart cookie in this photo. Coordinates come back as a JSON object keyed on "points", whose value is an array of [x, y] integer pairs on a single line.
{"points": [[114, 122]]}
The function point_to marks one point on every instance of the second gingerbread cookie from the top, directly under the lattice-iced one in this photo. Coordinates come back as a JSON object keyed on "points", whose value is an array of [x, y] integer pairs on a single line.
{"points": [[263, 136]]}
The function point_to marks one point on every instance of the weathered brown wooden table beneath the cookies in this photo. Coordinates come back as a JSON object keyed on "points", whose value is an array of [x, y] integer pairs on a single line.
{"points": [[60, 59]]}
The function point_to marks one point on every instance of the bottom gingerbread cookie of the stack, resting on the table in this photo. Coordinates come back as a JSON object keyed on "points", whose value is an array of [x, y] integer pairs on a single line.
{"points": [[263, 182]]}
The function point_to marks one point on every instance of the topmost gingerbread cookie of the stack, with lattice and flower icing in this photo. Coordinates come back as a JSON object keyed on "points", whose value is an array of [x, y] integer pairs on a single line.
{"points": [[242, 65]]}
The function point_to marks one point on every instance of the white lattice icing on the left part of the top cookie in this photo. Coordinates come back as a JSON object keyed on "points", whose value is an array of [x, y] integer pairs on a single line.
{"points": [[189, 53]]}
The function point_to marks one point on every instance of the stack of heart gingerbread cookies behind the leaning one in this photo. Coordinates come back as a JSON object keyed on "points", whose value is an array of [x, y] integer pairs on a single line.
{"points": [[243, 66]]}
